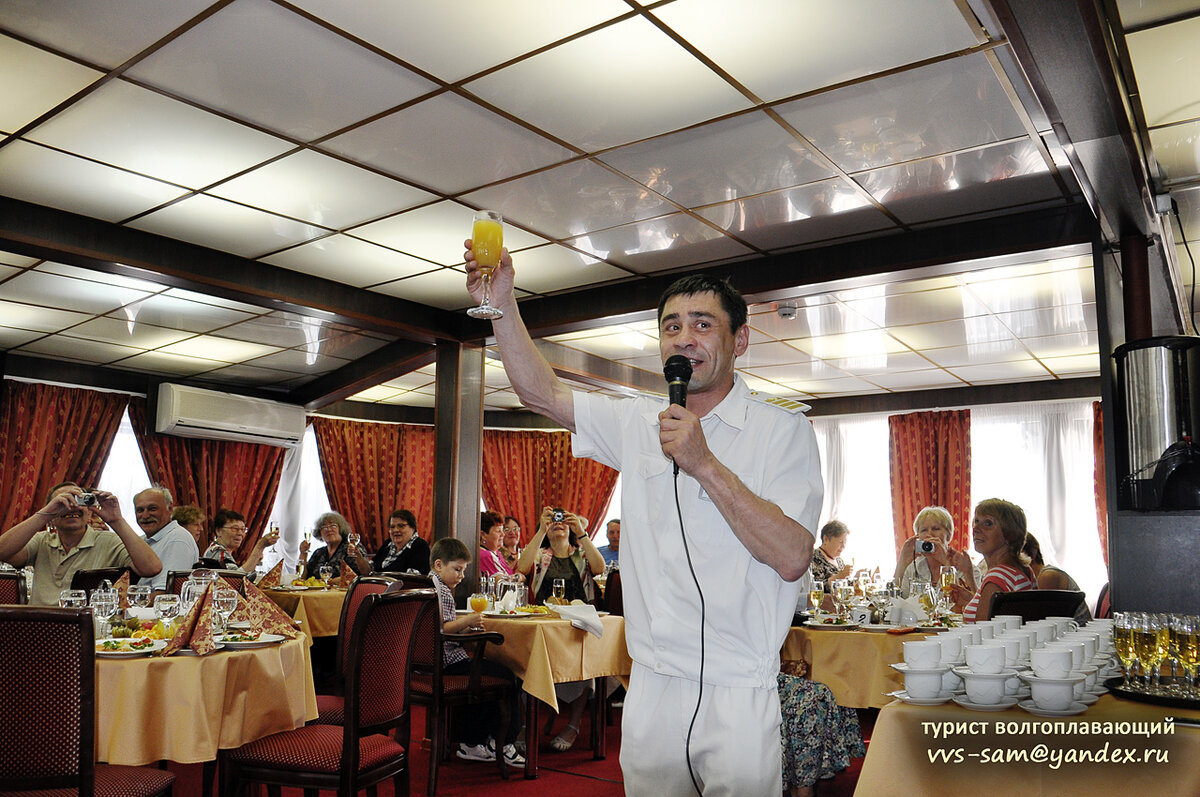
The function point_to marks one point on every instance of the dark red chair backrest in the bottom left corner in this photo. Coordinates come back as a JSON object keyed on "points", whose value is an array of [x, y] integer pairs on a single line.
{"points": [[47, 699]]}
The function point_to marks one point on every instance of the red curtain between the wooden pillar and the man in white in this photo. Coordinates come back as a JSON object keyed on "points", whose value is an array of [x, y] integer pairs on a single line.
{"points": [[525, 471]]}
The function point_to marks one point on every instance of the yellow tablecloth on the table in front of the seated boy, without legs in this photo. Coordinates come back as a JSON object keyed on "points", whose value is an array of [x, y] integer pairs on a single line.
{"points": [[548, 651]]}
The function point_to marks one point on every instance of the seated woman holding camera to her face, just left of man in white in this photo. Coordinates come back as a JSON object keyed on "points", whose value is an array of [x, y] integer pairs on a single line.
{"points": [[562, 550]]}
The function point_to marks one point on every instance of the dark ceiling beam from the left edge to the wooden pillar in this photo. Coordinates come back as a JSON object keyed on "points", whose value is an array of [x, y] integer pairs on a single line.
{"points": [[41, 232]]}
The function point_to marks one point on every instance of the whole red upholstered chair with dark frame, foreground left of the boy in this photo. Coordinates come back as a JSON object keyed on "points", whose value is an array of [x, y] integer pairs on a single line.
{"points": [[359, 754]]}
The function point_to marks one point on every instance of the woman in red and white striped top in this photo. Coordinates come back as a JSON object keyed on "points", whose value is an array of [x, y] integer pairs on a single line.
{"points": [[999, 534]]}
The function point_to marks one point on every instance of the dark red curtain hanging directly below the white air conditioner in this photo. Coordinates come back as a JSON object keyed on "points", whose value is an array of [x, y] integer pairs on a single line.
{"points": [[213, 475]]}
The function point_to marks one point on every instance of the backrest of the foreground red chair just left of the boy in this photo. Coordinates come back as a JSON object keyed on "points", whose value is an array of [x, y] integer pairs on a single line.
{"points": [[377, 668]]}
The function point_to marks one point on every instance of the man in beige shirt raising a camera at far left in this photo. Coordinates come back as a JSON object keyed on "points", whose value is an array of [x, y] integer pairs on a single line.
{"points": [[71, 544]]}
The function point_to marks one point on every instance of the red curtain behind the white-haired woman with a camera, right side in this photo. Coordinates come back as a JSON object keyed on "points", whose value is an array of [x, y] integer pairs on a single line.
{"points": [[931, 463]]}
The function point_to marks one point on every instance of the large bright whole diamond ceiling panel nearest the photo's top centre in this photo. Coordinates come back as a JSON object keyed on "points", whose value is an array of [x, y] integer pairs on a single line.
{"points": [[649, 86]]}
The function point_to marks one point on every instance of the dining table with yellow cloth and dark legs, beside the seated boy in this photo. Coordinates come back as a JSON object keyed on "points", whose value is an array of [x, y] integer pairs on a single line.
{"points": [[543, 651]]}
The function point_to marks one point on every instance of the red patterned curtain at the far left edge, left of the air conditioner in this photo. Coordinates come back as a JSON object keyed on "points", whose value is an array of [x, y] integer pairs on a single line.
{"points": [[52, 434]]}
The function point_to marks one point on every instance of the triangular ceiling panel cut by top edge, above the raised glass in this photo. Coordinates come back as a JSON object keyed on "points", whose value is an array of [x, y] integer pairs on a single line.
{"points": [[477, 35]]}
